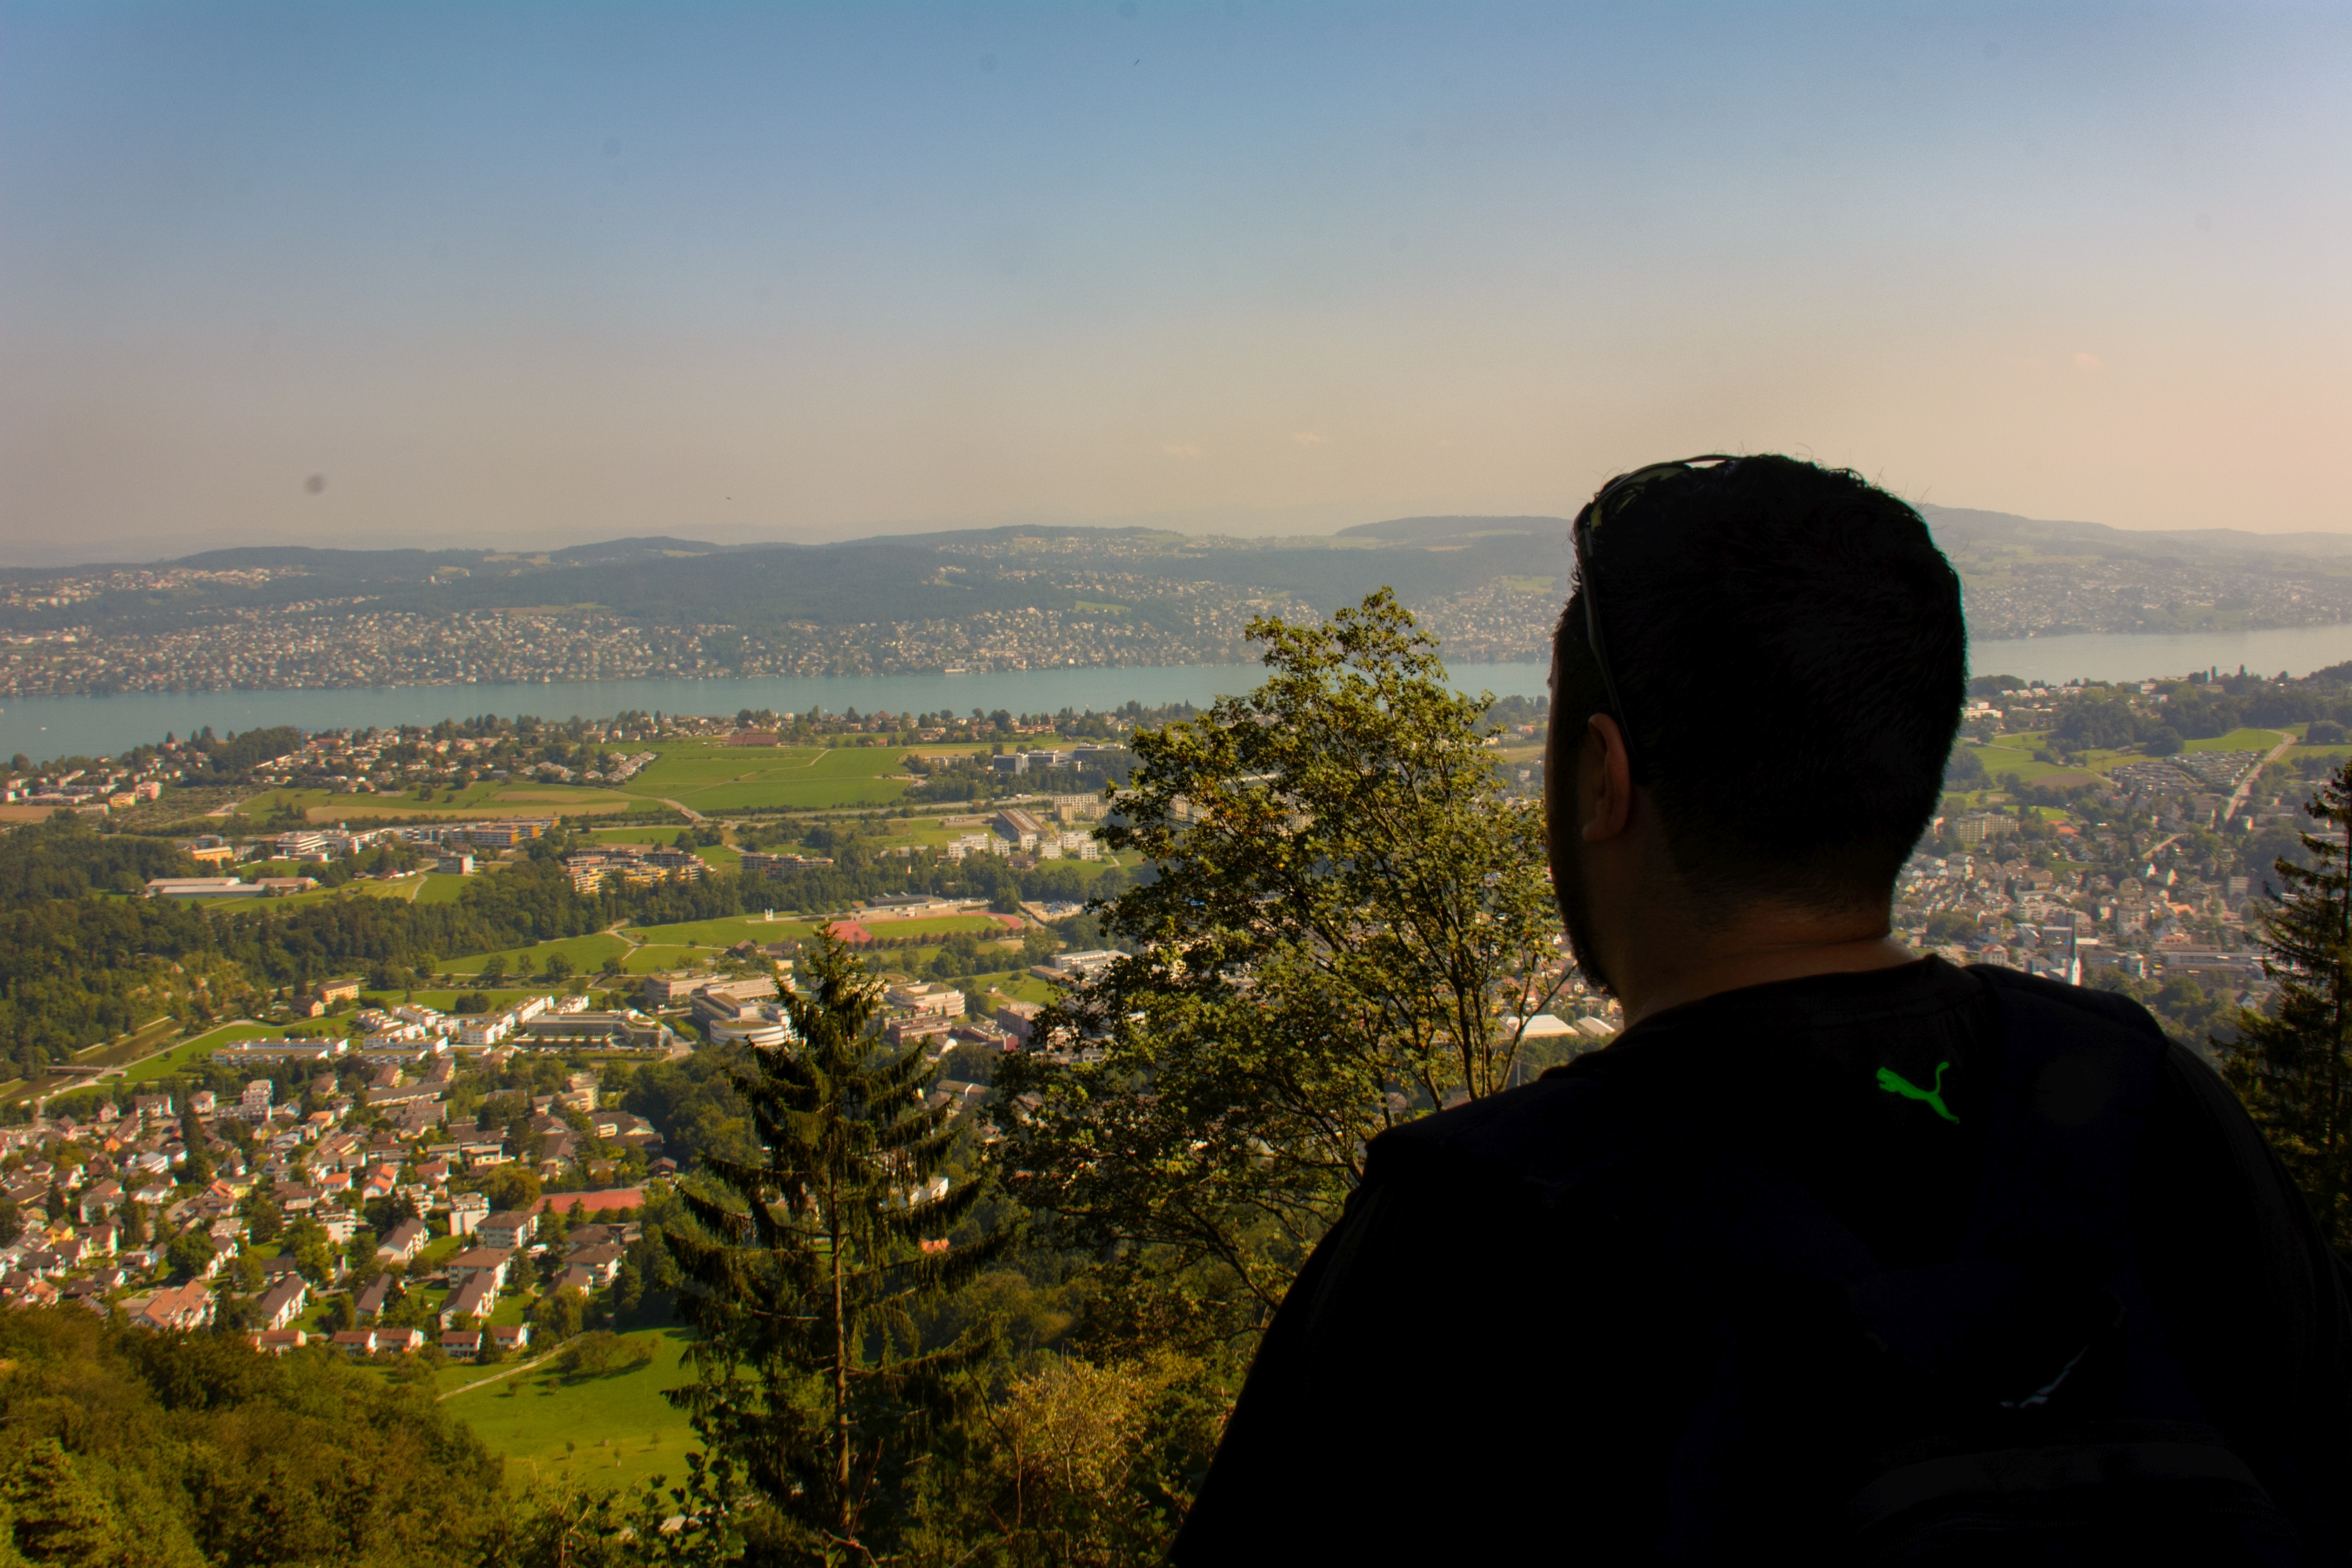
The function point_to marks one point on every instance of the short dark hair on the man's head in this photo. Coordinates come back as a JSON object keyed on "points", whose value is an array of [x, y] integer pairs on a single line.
{"points": [[1791, 650]]}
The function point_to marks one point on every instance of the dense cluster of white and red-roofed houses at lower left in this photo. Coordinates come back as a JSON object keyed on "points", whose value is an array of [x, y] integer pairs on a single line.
{"points": [[335, 1198]]}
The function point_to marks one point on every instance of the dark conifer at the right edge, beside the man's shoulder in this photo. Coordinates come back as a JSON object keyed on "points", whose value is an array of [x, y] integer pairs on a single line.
{"points": [[2294, 1068]]}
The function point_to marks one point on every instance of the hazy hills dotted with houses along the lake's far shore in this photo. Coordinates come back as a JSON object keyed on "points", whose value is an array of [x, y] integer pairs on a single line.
{"points": [[1001, 598]]}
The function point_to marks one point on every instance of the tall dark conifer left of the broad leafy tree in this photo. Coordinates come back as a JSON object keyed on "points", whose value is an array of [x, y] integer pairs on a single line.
{"points": [[813, 1261]]}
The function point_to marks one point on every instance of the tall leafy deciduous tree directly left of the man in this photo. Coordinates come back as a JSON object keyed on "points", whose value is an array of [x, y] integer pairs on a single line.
{"points": [[1344, 920]]}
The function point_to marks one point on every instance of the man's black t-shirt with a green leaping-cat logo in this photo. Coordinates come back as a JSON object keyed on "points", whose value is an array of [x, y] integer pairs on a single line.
{"points": [[1485, 1365]]}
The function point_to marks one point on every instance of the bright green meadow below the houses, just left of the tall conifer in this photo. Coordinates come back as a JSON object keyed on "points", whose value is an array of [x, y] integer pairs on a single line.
{"points": [[559, 1428]]}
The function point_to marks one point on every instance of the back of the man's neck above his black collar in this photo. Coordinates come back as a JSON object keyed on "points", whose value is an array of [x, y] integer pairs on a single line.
{"points": [[1760, 949]]}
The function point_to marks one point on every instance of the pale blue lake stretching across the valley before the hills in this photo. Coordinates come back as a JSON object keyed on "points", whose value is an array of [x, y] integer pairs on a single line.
{"points": [[46, 728]]}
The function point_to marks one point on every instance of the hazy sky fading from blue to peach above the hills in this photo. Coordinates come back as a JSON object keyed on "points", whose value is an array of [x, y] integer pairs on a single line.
{"points": [[526, 274]]}
